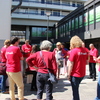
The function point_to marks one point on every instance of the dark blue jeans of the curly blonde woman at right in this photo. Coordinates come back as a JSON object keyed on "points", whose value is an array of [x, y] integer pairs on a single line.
{"points": [[75, 81]]}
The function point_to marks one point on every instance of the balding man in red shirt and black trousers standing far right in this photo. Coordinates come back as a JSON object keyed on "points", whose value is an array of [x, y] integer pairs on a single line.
{"points": [[92, 64]]}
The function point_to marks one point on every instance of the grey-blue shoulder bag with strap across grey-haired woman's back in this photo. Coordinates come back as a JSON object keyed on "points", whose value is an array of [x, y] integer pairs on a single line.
{"points": [[52, 78]]}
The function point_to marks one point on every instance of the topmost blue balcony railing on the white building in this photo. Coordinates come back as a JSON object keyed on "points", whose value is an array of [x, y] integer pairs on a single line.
{"points": [[51, 3]]}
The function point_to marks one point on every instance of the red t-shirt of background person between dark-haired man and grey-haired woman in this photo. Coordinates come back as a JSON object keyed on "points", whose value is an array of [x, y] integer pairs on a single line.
{"points": [[27, 50]]}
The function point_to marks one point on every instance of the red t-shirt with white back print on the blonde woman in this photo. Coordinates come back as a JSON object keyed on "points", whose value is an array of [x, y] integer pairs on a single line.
{"points": [[79, 57]]}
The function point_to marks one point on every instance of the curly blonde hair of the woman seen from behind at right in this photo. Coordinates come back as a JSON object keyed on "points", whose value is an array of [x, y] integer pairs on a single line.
{"points": [[75, 42]]}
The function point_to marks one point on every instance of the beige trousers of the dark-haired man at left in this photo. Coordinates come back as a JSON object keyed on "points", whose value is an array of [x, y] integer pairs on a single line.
{"points": [[16, 78]]}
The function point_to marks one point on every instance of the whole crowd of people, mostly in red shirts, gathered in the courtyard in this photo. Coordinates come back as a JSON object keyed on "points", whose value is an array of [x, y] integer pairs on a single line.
{"points": [[60, 61]]}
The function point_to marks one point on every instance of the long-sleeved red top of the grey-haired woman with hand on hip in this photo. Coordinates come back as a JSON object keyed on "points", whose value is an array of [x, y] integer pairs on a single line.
{"points": [[49, 59]]}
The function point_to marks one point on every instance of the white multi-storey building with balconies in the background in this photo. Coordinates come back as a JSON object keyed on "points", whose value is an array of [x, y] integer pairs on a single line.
{"points": [[30, 21]]}
